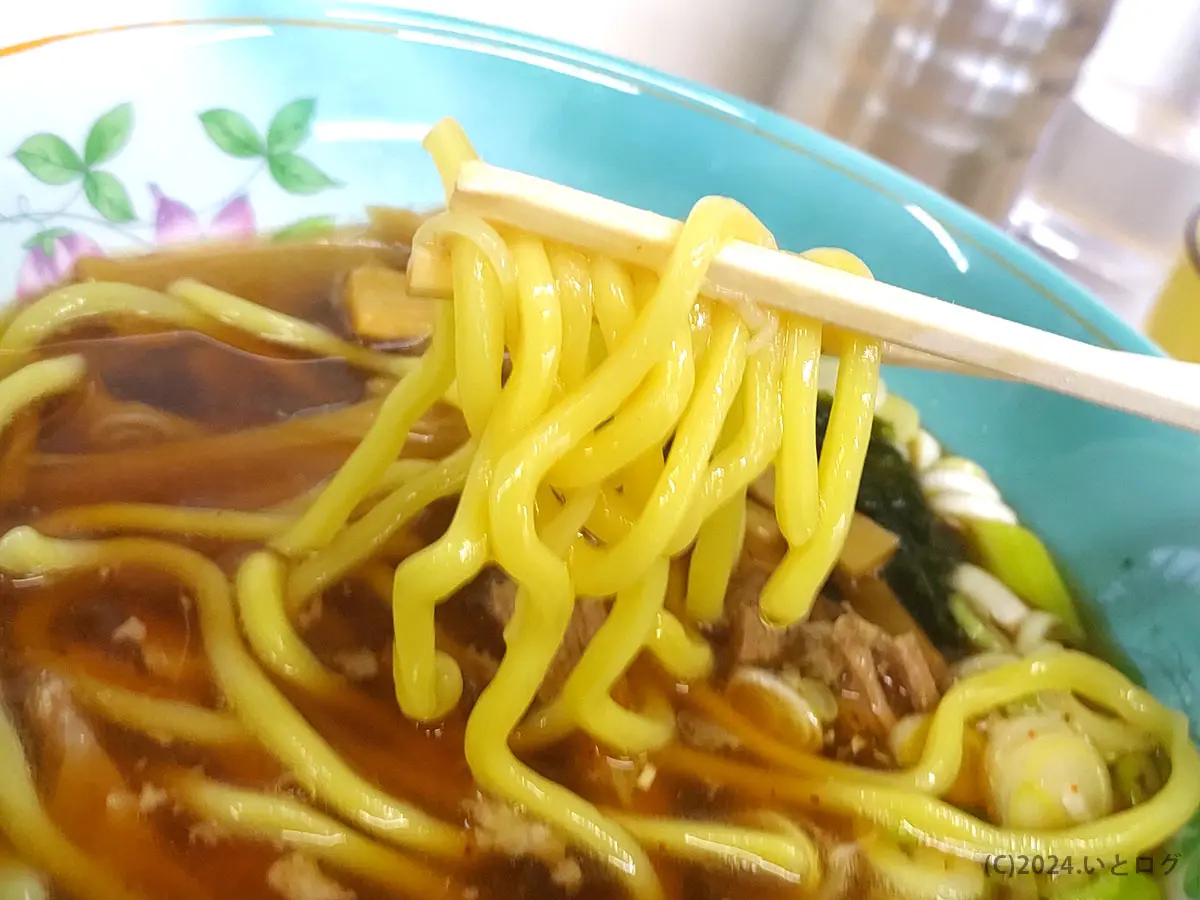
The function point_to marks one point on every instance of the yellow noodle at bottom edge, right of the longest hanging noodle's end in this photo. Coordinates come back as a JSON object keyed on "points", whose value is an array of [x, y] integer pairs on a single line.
{"points": [[793, 857]]}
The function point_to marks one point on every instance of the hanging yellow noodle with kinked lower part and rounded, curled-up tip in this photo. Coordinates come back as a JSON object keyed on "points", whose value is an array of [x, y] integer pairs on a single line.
{"points": [[433, 575]]}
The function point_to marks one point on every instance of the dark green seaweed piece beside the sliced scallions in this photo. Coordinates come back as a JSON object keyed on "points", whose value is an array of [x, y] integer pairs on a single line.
{"points": [[920, 572]]}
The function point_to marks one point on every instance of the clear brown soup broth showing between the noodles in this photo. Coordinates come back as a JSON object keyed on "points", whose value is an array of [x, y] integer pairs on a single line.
{"points": [[245, 427]]}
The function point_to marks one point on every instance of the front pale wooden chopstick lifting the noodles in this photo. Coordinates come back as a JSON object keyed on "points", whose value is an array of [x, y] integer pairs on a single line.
{"points": [[1150, 387]]}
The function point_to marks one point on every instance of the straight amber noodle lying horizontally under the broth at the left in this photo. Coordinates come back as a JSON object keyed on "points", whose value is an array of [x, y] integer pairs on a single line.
{"points": [[161, 519]]}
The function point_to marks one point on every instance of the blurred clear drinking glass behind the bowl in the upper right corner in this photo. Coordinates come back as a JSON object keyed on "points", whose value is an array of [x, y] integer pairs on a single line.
{"points": [[1118, 175]]}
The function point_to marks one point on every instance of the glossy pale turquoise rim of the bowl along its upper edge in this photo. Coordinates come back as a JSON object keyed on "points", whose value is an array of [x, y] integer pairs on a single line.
{"points": [[1102, 323]]}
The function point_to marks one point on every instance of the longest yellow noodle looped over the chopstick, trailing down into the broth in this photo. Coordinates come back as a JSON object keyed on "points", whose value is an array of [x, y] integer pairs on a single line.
{"points": [[545, 593]]}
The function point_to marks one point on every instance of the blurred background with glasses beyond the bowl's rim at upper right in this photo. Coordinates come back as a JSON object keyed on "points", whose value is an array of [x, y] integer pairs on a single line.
{"points": [[1072, 124]]}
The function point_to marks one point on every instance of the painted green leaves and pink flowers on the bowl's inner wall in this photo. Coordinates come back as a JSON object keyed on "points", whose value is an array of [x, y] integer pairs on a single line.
{"points": [[100, 202]]}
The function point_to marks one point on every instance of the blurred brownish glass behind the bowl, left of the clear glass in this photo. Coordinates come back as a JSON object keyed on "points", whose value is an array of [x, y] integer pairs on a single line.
{"points": [[956, 93]]}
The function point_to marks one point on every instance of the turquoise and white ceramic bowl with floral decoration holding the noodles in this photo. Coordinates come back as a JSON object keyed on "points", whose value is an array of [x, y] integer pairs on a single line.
{"points": [[224, 118]]}
